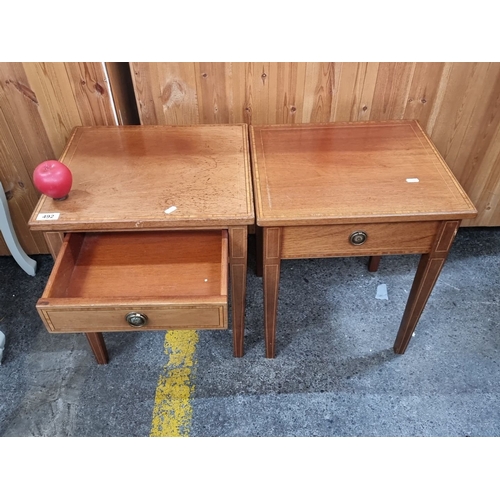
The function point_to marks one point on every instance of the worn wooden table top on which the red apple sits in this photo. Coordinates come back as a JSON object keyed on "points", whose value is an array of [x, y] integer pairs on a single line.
{"points": [[153, 177]]}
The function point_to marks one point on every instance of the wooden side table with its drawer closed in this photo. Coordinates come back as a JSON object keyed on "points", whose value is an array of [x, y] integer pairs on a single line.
{"points": [[353, 189]]}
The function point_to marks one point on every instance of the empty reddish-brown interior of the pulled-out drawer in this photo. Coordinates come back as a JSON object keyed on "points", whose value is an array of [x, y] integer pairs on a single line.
{"points": [[141, 265]]}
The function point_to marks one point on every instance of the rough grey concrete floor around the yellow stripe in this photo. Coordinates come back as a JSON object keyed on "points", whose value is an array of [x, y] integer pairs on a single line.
{"points": [[335, 373]]}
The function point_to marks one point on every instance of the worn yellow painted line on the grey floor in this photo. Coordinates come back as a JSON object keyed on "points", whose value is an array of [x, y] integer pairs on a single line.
{"points": [[172, 412]]}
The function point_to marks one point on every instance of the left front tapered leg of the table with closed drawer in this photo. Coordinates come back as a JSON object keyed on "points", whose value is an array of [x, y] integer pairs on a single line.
{"points": [[271, 280]]}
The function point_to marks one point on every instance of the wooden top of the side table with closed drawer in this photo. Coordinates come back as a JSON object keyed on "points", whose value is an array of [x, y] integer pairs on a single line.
{"points": [[352, 172]]}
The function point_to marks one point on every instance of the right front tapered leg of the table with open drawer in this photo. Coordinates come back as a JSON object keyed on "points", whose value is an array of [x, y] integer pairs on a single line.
{"points": [[238, 261]]}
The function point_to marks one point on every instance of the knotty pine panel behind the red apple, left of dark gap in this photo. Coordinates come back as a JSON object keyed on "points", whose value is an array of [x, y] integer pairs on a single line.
{"points": [[40, 103]]}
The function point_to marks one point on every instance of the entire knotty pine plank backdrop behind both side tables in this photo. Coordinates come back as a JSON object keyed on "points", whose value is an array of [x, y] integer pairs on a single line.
{"points": [[458, 104]]}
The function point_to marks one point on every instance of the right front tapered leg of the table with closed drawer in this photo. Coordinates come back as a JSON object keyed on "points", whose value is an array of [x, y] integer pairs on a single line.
{"points": [[427, 274]]}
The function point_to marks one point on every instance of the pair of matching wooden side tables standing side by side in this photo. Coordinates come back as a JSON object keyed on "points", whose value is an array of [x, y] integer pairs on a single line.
{"points": [[158, 217]]}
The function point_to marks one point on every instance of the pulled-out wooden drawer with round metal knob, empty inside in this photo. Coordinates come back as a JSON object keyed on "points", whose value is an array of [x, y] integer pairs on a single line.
{"points": [[126, 281]]}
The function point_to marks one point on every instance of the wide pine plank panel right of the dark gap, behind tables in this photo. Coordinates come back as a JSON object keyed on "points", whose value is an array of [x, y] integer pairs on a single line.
{"points": [[456, 104]]}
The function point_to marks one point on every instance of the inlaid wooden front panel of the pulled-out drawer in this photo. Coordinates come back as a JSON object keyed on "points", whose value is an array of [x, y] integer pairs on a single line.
{"points": [[61, 319]]}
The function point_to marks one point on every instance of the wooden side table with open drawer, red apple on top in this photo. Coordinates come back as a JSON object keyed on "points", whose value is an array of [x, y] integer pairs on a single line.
{"points": [[155, 217]]}
